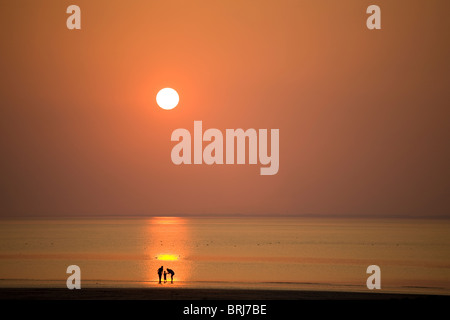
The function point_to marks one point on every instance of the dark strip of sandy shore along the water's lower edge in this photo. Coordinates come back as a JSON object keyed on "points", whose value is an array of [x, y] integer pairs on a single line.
{"points": [[191, 294]]}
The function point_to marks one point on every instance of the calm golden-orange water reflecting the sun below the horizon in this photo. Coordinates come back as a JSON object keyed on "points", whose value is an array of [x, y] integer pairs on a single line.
{"points": [[273, 253]]}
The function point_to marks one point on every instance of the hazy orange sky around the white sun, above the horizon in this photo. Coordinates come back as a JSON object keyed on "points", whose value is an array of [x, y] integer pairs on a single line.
{"points": [[363, 115]]}
